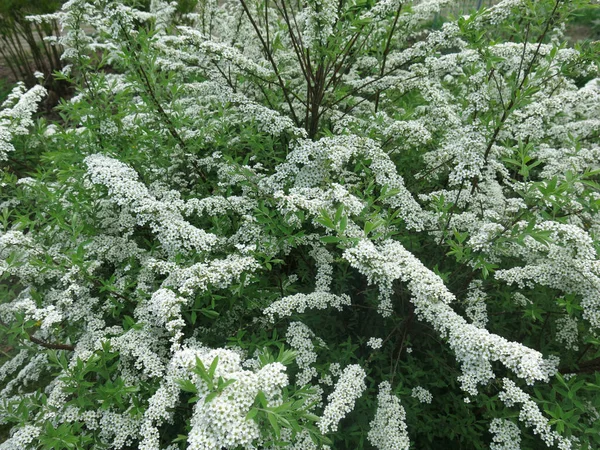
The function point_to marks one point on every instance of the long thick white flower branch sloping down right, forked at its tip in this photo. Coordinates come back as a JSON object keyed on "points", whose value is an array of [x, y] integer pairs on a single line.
{"points": [[474, 347]]}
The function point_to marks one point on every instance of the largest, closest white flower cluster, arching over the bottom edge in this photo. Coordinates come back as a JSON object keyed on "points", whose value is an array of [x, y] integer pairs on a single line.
{"points": [[221, 421]]}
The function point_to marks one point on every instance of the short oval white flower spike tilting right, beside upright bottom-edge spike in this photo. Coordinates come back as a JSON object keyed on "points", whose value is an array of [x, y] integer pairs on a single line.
{"points": [[348, 389]]}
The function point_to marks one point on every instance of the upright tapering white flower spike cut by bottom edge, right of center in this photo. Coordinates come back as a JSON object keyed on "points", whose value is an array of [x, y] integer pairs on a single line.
{"points": [[388, 428]]}
